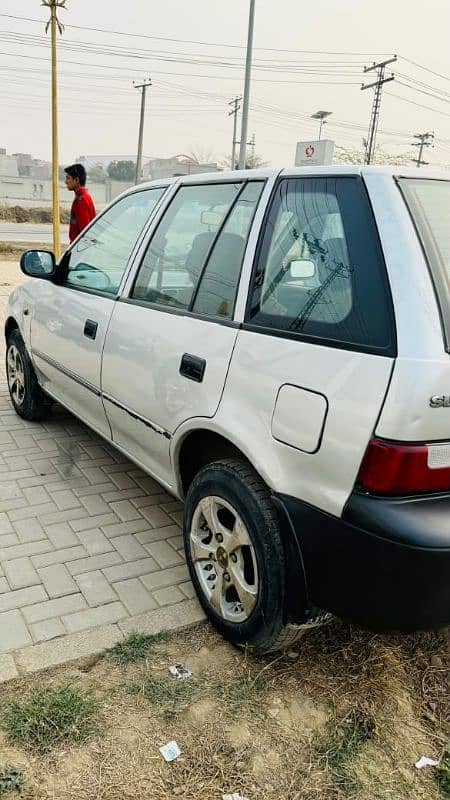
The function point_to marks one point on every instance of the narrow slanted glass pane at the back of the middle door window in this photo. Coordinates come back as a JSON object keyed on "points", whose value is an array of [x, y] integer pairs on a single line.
{"points": [[217, 291]]}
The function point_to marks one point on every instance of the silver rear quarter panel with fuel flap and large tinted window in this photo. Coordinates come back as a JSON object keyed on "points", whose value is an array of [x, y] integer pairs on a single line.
{"points": [[318, 340]]}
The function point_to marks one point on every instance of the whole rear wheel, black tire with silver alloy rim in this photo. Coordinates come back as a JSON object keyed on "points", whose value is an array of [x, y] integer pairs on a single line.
{"points": [[235, 556]]}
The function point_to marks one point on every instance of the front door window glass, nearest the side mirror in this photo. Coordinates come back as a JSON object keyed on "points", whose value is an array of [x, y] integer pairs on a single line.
{"points": [[100, 257]]}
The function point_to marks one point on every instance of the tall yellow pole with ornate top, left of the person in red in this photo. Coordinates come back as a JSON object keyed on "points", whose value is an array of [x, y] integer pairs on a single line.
{"points": [[55, 25]]}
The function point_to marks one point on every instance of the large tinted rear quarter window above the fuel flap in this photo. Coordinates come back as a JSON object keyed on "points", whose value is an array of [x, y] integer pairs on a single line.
{"points": [[320, 271]]}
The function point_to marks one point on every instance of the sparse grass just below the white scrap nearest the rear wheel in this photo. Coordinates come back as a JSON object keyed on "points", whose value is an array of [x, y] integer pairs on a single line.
{"points": [[171, 696]]}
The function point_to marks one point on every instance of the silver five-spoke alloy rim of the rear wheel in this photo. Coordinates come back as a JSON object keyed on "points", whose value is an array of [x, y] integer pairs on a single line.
{"points": [[224, 559]]}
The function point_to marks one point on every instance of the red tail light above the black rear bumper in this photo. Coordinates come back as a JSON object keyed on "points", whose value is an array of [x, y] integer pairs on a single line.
{"points": [[391, 468]]}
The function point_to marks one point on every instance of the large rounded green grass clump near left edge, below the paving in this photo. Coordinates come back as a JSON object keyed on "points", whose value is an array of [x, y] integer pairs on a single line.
{"points": [[48, 716]]}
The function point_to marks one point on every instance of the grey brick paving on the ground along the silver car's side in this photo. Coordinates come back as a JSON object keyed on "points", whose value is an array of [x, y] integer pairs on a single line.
{"points": [[90, 546]]}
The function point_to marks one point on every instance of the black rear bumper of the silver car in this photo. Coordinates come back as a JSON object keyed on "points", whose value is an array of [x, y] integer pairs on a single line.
{"points": [[385, 564]]}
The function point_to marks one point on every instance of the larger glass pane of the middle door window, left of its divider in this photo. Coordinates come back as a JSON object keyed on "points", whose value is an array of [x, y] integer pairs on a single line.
{"points": [[182, 241]]}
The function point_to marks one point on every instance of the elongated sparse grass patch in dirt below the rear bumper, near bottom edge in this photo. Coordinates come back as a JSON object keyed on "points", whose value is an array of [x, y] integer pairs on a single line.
{"points": [[343, 746]]}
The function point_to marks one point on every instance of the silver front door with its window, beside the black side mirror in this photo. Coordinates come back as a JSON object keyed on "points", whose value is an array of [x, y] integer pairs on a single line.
{"points": [[69, 321]]}
